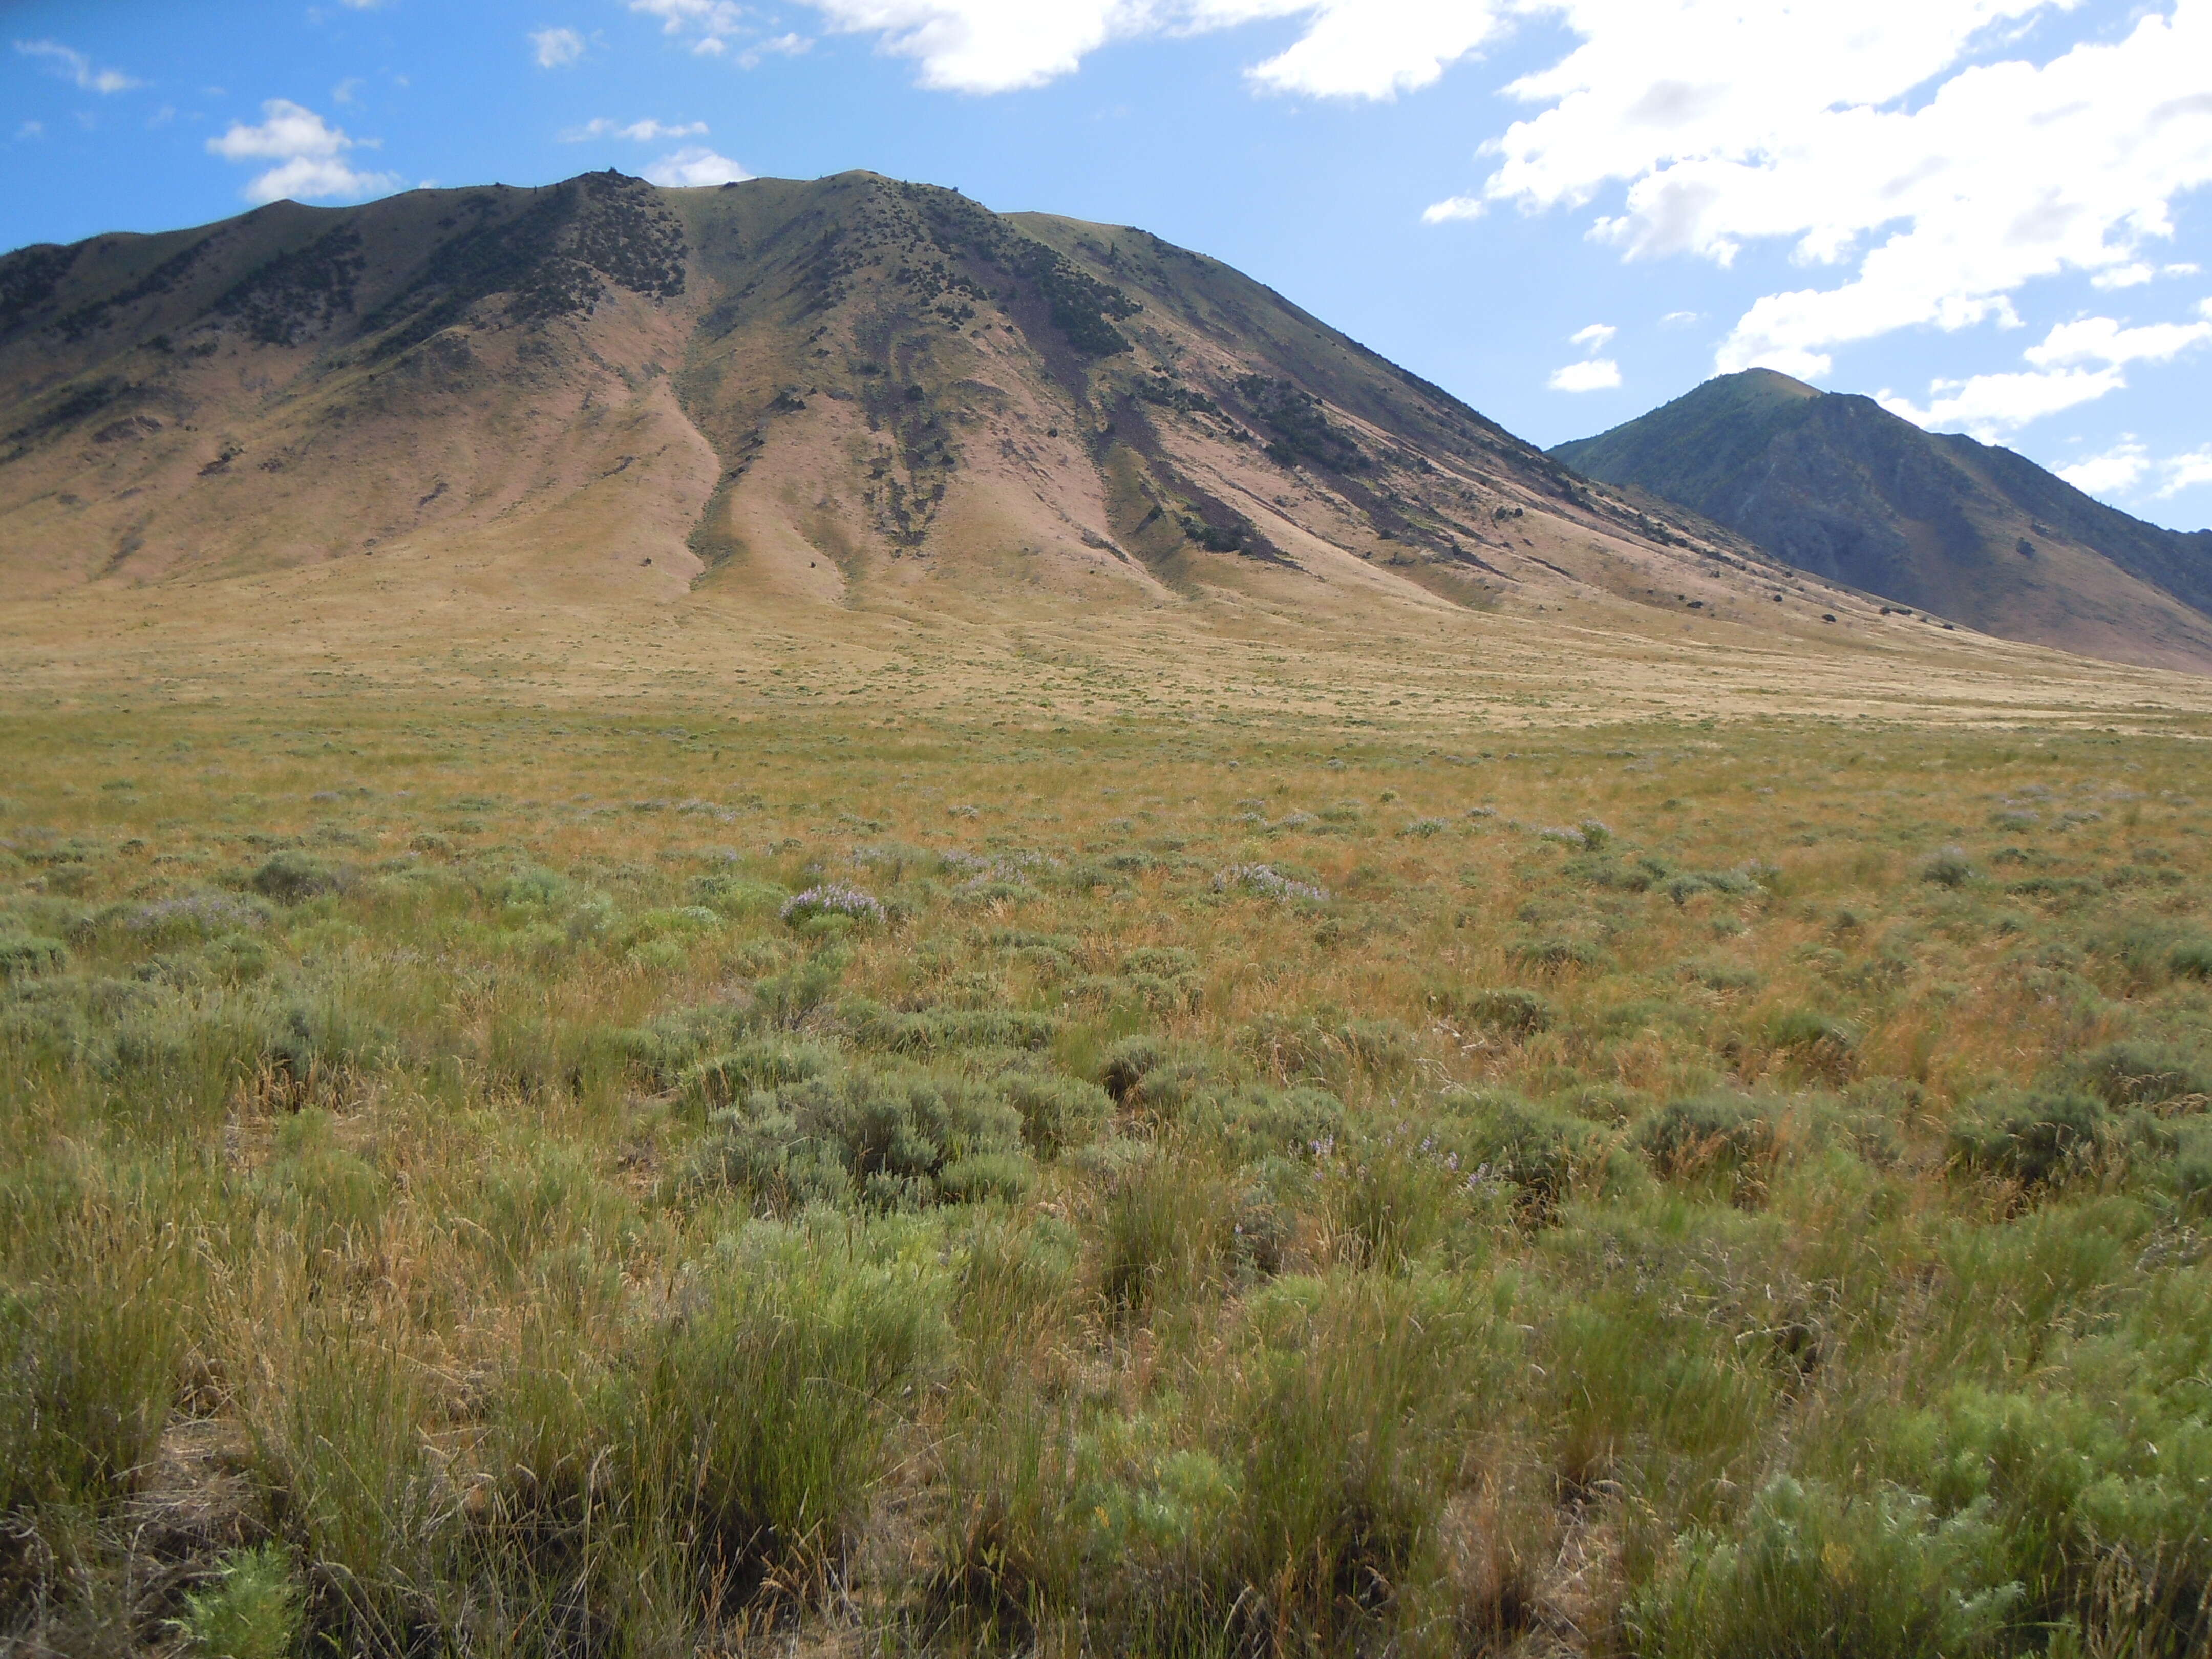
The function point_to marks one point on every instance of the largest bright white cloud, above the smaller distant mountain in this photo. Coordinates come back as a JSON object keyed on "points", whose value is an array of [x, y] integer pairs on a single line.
{"points": [[1941, 185]]}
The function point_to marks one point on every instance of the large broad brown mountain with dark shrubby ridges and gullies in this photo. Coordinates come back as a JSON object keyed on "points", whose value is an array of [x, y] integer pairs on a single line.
{"points": [[846, 393]]}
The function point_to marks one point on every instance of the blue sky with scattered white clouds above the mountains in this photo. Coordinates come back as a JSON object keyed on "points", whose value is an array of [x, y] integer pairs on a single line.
{"points": [[1992, 216]]}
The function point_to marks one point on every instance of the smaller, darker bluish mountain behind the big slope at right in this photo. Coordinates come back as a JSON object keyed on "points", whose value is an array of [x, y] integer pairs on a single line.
{"points": [[1846, 490]]}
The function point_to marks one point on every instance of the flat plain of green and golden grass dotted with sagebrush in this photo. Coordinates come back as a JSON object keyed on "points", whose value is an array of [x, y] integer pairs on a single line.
{"points": [[497, 1180]]}
